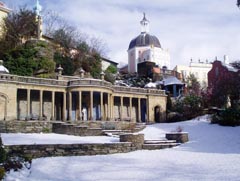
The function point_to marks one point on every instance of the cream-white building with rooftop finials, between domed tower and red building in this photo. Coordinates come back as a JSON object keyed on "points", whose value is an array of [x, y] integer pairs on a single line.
{"points": [[200, 70]]}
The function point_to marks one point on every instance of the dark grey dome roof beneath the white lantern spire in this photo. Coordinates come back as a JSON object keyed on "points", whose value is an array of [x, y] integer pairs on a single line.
{"points": [[144, 39]]}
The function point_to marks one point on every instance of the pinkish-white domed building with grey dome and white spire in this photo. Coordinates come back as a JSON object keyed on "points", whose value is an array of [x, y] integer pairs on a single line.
{"points": [[146, 47]]}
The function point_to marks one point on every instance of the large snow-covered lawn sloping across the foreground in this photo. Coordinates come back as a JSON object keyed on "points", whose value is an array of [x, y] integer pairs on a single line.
{"points": [[213, 153]]}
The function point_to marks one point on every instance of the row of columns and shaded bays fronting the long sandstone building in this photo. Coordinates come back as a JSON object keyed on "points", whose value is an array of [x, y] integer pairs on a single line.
{"points": [[70, 105]]}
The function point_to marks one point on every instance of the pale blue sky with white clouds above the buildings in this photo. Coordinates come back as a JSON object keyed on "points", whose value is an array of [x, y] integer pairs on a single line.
{"points": [[189, 29]]}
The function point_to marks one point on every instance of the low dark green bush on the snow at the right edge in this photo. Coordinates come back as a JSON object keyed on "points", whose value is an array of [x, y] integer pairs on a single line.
{"points": [[227, 117]]}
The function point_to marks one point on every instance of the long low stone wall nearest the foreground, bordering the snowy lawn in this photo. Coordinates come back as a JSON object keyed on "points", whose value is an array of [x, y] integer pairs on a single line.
{"points": [[36, 151]]}
